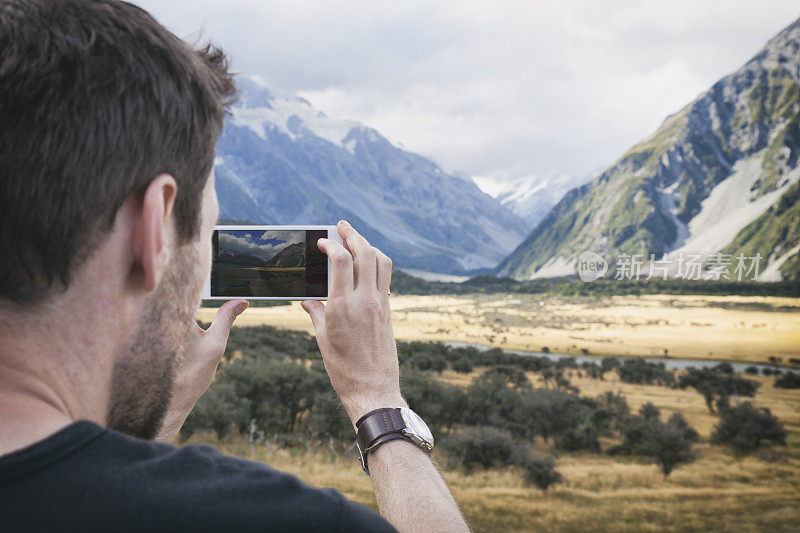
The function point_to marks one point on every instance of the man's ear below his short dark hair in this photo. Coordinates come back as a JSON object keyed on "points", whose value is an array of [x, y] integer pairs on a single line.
{"points": [[154, 231]]}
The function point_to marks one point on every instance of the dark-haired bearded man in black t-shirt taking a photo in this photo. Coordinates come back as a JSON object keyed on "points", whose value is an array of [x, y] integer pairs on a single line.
{"points": [[107, 130]]}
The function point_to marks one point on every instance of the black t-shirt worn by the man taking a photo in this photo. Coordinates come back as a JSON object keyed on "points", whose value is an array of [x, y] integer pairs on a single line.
{"points": [[86, 478]]}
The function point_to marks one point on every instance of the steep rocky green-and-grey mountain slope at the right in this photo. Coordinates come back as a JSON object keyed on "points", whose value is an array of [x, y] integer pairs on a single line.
{"points": [[717, 176]]}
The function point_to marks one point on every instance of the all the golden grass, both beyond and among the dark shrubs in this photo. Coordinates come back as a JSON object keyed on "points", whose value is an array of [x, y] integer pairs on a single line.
{"points": [[717, 492]]}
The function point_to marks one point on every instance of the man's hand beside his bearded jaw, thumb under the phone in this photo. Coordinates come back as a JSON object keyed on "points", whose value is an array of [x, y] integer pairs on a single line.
{"points": [[195, 370]]}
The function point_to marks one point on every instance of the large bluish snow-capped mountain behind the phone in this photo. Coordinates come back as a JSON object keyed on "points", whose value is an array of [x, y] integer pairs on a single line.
{"points": [[280, 161]]}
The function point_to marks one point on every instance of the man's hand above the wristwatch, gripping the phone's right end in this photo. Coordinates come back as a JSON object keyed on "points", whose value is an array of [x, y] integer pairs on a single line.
{"points": [[354, 329]]}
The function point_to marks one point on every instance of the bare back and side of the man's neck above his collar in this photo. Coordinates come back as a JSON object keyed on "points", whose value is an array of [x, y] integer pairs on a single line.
{"points": [[55, 368]]}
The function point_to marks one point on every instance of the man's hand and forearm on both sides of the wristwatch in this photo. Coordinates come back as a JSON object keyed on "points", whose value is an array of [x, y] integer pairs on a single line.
{"points": [[355, 336]]}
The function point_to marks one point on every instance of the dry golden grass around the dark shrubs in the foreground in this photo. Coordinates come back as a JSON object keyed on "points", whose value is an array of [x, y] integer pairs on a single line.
{"points": [[717, 492]]}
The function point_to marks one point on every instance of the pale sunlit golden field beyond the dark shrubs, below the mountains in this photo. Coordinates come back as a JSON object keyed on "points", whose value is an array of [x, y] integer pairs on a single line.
{"points": [[734, 328]]}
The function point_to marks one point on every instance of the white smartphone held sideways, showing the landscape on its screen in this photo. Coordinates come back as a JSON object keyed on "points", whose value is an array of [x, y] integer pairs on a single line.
{"points": [[269, 263]]}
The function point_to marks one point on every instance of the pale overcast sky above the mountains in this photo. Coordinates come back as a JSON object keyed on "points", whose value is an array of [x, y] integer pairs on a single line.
{"points": [[491, 88]]}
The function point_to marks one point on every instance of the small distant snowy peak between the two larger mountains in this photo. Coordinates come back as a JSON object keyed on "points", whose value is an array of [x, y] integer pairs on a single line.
{"points": [[531, 197]]}
